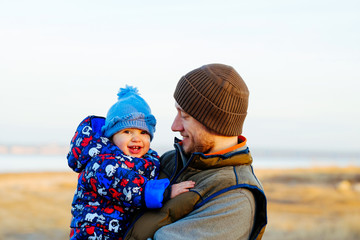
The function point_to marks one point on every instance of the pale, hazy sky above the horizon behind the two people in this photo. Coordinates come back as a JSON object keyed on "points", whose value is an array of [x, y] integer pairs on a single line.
{"points": [[61, 61]]}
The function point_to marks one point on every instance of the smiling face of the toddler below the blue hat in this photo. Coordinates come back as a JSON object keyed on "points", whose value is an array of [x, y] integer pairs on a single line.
{"points": [[132, 141]]}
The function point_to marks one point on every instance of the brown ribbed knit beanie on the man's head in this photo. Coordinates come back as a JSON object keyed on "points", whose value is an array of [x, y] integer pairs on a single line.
{"points": [[216, 96]]}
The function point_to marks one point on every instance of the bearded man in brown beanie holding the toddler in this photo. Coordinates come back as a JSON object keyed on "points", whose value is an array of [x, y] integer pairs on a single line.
{"points": [[227, 201]]}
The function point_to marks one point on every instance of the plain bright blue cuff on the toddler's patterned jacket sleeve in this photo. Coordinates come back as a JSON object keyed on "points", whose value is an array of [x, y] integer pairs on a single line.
{"points": [[154, 192]]}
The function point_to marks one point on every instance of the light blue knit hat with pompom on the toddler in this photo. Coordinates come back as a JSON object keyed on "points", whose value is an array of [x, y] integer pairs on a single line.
{"points": [[130, 111]]}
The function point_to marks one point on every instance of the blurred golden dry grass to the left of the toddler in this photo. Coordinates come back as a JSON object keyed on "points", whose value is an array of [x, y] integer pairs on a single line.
{"points": [[36, 205]]}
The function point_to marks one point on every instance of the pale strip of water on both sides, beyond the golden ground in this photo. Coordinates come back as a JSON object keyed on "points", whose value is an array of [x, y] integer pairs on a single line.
{"points": [[42, 163]]}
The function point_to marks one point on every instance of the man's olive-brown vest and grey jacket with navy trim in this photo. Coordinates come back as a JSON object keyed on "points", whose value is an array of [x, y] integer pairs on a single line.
{"points": [[227, 201]]}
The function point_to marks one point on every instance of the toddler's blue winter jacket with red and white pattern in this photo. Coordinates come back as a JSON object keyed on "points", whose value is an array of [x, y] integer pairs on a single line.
{"points": [[111, 185]]}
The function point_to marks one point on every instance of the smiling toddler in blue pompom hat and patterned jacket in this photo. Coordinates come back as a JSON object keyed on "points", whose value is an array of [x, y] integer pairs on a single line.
{"points": [[117, 169]]}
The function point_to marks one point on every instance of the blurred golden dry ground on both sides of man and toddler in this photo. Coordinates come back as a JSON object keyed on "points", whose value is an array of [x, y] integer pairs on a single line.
{"points": [[320, 203]]}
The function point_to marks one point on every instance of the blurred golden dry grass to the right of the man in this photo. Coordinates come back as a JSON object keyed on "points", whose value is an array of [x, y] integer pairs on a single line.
{"points": [[319, 203]]}
